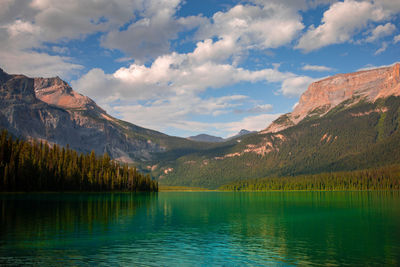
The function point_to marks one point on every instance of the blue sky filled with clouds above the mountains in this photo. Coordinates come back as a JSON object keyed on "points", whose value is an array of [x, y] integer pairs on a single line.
{"points": [[185, 67]]}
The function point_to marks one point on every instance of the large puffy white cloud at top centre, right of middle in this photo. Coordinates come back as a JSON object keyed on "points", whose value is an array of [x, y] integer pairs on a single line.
{"points": [[264, 26]]}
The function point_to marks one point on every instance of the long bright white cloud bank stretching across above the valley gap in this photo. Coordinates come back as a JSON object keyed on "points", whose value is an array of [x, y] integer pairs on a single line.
{"points": [[168, 75]]}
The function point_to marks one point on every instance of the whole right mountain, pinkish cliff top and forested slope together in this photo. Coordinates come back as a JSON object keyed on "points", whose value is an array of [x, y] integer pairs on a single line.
{"points": [[342, 123]]}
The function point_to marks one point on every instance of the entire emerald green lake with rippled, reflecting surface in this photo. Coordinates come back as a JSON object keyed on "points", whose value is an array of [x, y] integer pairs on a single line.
{"points": [[202, 228]]}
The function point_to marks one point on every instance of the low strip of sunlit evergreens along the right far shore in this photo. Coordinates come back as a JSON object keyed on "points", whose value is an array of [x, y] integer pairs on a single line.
{"points": [[386, 178]]}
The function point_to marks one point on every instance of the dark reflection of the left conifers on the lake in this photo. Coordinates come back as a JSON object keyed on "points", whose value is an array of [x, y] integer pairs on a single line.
{"points": [[33, 216]]}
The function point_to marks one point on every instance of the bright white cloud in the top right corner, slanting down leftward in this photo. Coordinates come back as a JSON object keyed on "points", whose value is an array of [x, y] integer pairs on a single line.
{"points": [[340, 24]]}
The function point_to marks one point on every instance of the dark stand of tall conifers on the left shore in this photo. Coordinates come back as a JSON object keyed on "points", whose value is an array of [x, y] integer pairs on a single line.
{"points": [[37, 166]]}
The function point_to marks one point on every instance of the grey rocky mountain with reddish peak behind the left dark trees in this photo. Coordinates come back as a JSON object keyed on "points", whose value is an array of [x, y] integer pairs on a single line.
{"points": [[48, 109]]}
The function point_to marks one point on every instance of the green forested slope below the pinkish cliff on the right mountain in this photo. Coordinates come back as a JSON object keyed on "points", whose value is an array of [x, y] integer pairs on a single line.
{"points": [[352, 136]]}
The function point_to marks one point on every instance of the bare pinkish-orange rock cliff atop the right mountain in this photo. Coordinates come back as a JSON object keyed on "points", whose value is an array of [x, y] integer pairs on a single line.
{"points": [[324, 95]]}
